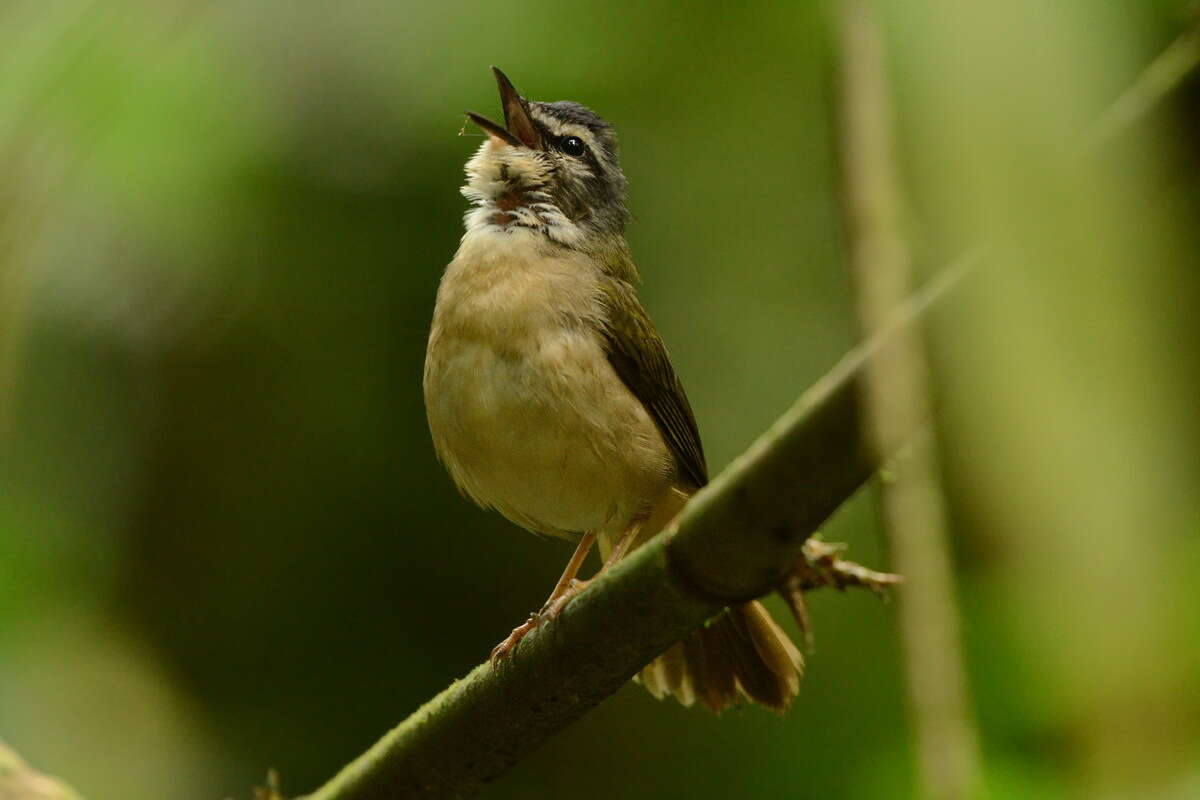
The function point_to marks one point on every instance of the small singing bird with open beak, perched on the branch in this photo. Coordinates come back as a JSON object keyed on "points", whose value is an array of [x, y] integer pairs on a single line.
{"points": [[550, 394]]}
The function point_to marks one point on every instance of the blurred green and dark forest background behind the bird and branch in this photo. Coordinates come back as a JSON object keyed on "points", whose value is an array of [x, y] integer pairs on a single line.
{"points": [[226, 544]]}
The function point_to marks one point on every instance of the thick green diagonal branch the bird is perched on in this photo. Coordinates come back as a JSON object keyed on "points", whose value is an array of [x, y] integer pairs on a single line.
{"points": [[736, 540]]}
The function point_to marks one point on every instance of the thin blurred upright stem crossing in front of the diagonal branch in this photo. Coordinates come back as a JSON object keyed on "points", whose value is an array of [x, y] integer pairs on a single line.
{"points": [[896, 401]]}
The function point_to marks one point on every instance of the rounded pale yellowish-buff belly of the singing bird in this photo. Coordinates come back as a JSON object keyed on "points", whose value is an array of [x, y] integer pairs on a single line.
{"points": [[548, 435]]}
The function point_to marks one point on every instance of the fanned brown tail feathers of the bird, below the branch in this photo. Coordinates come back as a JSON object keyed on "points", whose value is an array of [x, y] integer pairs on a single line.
{"points": [[743, 653]]}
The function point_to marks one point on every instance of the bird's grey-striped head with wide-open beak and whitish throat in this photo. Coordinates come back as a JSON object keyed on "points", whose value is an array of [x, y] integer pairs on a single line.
{"points": [[551, 169]]}
